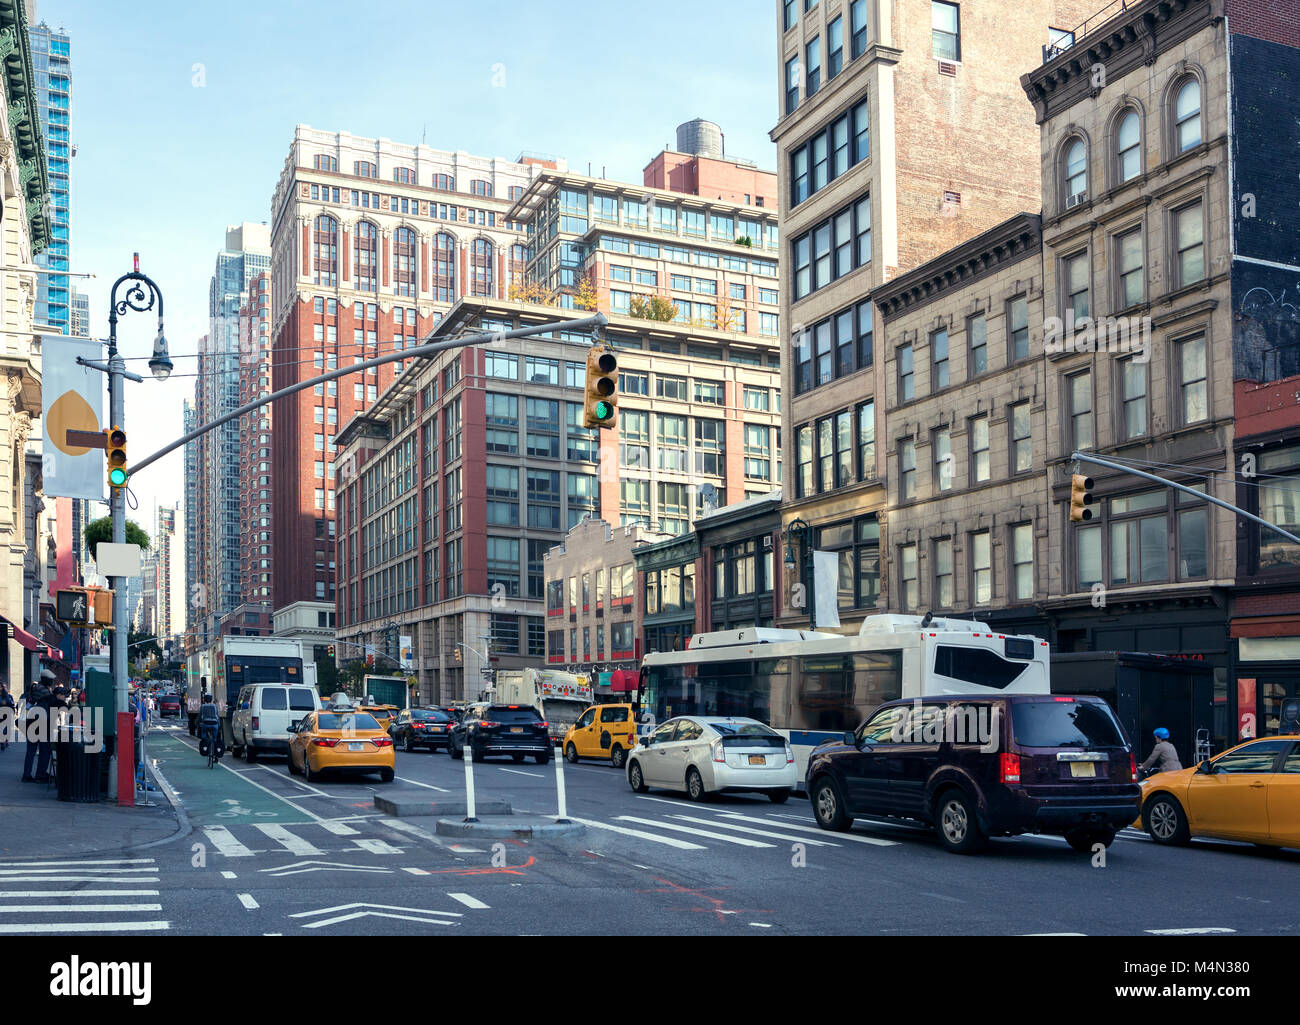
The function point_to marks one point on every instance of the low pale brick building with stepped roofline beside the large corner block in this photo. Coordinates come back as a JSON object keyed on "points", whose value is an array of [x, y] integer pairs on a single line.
{"points": [[593, 612]]}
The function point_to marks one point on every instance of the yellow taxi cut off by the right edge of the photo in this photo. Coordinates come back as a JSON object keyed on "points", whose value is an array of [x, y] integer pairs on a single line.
{"points": [[1250, 793]]}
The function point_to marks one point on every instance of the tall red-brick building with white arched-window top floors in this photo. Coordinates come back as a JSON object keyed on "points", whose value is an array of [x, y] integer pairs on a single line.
{"points": [[372, 243]]}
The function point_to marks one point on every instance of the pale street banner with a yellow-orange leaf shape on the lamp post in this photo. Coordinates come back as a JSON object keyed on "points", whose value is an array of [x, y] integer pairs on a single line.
{"points": [[73, 400]]}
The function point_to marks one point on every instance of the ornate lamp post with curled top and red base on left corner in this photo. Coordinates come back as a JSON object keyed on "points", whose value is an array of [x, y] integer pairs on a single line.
{"points": [[141, 295]]}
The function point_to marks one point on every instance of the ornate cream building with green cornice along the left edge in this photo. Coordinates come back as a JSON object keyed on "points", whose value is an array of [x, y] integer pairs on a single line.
{"points": [[25, 232]]}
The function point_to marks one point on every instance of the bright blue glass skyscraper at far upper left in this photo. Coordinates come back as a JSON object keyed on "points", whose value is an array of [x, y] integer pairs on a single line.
{"points": [[51, 64]]}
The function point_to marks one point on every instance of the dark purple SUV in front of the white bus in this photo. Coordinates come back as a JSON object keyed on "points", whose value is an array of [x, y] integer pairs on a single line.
{"points": [[982, 767]]}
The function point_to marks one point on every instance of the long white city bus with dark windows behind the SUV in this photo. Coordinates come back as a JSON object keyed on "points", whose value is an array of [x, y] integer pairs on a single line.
{"points": [[813, 686]]}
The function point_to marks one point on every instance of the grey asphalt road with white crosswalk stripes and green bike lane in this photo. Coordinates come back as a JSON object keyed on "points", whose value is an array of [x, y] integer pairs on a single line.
{"points": [[271, 855]]}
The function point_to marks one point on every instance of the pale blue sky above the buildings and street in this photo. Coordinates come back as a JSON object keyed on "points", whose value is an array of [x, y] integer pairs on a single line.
{"points": [[164, 166]]}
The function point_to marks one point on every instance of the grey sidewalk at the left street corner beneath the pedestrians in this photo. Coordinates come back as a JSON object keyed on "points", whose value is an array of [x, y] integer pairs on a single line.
{"points": [[34, 824]]}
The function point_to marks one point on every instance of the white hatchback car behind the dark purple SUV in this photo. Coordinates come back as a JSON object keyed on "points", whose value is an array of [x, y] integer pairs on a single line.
{"points": [[704, 755]]}
